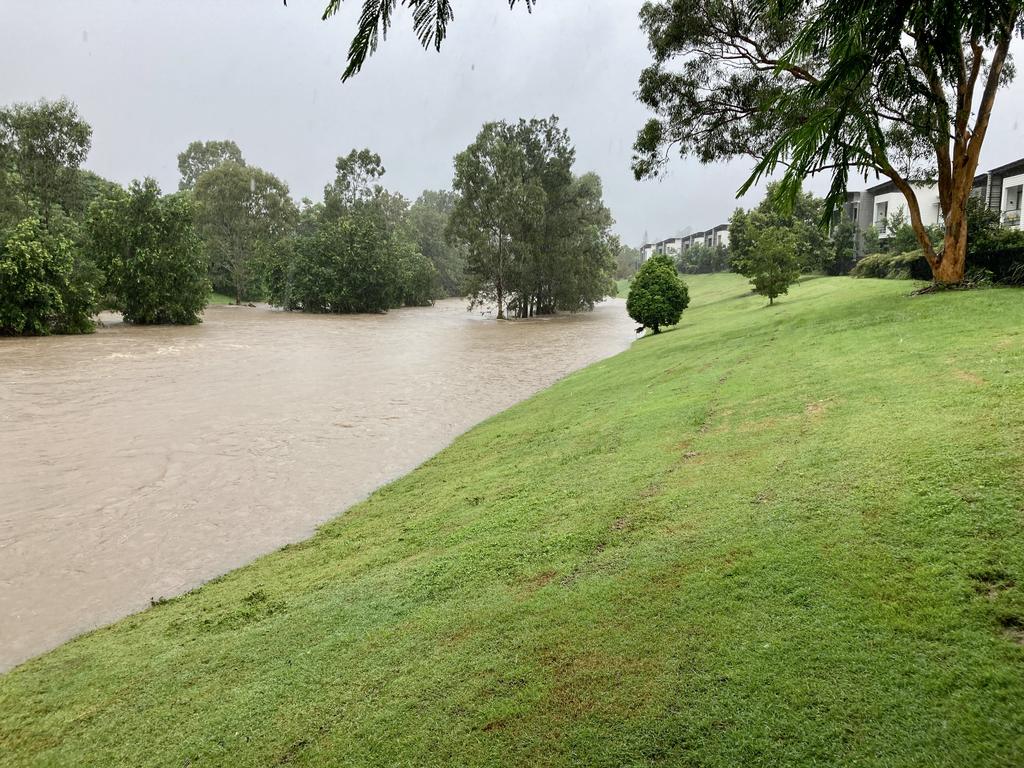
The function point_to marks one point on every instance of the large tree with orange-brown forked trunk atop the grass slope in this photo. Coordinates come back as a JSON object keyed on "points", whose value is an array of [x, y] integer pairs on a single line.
{"points": [[903, 91]]}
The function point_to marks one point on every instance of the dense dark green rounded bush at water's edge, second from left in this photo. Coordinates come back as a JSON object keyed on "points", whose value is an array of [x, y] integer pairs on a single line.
{"points": [[149, 248]]}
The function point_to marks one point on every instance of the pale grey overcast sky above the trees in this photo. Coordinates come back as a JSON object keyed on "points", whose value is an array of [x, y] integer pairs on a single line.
{"points": [[152, 76]]}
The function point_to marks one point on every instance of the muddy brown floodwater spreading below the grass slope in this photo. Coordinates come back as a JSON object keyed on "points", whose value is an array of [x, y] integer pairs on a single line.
{"points": [[138, 463]]}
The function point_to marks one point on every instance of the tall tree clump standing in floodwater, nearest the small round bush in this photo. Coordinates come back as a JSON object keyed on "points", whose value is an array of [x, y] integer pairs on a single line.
{"points": [[537, 237]]}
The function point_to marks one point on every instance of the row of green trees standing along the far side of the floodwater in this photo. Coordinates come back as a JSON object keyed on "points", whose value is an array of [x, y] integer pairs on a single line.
{"points": [[520, 230]]}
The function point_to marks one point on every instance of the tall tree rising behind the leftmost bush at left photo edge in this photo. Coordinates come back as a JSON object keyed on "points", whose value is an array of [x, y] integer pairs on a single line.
{"points": [[42, 146]]}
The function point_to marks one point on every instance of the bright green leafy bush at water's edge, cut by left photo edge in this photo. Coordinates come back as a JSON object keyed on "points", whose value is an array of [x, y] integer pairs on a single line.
{"points": [[46, 285]]}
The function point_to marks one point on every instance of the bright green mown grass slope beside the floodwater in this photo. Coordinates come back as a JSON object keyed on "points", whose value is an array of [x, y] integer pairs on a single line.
{"points": [[786, 536]]}
